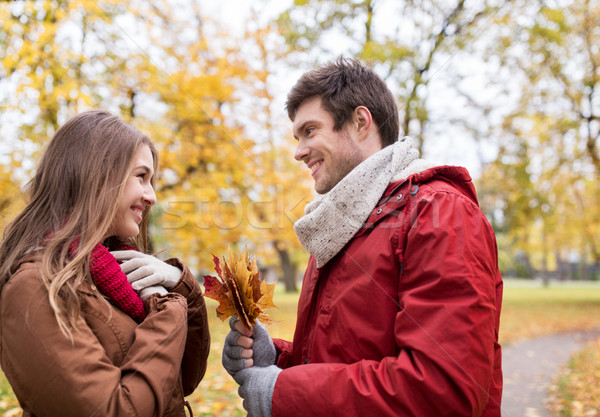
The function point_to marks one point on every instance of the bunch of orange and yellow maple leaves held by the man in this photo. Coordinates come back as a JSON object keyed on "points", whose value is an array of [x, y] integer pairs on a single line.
{"points": [[239, 290]]}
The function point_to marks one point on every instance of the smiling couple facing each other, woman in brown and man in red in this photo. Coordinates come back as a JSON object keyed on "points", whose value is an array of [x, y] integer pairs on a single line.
{"points": [[400, 302]]}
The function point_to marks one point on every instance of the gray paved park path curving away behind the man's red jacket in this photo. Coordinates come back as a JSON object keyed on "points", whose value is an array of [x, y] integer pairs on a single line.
{"points": [[529, 366]]}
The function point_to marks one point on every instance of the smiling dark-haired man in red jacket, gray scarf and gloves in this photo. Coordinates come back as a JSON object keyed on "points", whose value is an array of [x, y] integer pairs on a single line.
{"points": [[400, 303]]}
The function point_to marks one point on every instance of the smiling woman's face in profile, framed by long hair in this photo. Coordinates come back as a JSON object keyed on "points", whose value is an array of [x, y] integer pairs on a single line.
{"points": [[138, 195]]}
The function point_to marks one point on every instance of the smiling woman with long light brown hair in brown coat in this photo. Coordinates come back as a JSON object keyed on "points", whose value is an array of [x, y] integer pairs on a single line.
{"points": [[76, 339]]}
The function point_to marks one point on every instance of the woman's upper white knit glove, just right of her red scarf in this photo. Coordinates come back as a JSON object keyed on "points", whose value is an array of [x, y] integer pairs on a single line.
{"points": [[144, 270]]}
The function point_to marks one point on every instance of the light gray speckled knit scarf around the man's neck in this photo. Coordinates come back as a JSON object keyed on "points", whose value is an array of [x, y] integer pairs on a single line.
{"points": [[332, 219]]}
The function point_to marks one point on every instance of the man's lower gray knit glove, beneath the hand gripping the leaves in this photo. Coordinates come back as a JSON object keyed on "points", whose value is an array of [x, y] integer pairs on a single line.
{"points": [[256, 388]]}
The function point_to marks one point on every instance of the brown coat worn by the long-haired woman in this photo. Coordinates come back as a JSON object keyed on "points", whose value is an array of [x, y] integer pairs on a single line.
{"points": [[113, 366]]}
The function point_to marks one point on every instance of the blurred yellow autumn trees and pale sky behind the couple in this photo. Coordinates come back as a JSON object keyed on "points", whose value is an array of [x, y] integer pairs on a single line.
{"points": [[508, 89]]}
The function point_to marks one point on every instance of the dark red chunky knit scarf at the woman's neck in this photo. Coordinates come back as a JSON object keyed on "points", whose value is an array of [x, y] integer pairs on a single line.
{"points": [[112, 282]]}
